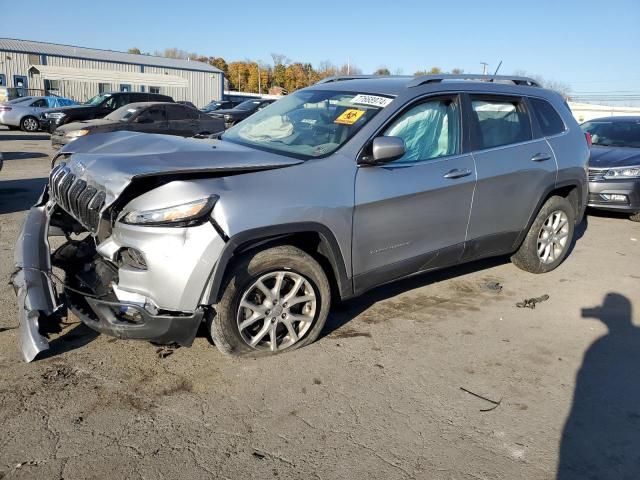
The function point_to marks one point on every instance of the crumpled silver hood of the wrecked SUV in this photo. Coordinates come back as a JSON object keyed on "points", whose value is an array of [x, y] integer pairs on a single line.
{"points": [[110, 161]]}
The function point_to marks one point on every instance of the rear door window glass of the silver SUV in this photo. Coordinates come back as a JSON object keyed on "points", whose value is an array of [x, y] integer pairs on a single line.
{"points": [[500, 122]]}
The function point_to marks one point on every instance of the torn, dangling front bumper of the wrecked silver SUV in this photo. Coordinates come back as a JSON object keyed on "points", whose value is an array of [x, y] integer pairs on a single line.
{"points": [[40, 305]]}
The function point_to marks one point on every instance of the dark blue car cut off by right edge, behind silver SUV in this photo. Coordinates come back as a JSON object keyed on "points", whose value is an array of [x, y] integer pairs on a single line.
{"points": [[614, 167]]}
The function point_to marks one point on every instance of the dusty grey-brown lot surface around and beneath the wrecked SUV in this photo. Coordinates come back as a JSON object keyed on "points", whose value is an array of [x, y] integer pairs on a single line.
{"points": [[379, 396]]}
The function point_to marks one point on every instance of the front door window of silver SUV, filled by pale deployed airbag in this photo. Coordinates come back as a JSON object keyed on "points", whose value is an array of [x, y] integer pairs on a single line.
{"points": [[429, 130]]}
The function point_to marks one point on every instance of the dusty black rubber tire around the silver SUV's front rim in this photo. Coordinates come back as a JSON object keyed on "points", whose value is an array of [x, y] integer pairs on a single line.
{"points": [[223, 325]]}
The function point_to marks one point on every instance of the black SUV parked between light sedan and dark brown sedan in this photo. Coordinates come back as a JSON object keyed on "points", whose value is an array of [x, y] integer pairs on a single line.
{"points": [[97, 107]]}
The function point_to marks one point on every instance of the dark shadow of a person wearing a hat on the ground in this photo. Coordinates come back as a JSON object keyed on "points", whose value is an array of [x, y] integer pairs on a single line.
{"points": [[601, 438]]}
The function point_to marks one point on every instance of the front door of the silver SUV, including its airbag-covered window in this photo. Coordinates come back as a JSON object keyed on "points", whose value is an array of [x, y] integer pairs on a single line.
{"points": [[412, 214]]}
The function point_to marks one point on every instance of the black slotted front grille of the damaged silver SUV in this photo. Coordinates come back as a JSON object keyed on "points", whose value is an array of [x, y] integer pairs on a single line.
{"points": [[83, 202]]}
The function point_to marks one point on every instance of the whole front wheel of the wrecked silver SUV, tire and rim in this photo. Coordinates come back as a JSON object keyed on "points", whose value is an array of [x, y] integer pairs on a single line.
{"points": [[273, 301]]}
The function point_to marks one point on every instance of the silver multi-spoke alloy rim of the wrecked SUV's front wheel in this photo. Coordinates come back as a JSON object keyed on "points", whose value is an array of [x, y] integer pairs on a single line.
{"points": [[276, 311]]}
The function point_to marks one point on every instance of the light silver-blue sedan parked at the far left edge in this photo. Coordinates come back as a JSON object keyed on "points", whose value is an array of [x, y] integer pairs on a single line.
{"points": [[23, 112]]}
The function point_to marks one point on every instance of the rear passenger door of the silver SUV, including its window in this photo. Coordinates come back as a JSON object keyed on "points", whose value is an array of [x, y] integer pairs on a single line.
{"points": [[514, 172]]}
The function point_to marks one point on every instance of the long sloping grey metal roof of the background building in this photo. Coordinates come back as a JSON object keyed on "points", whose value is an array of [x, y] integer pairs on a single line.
{"points": [[29, 46]]}
